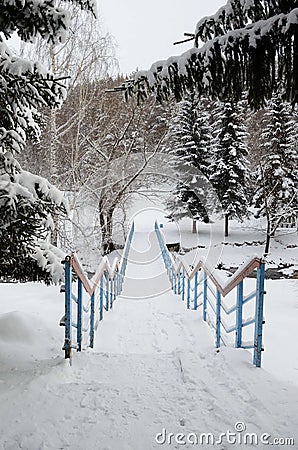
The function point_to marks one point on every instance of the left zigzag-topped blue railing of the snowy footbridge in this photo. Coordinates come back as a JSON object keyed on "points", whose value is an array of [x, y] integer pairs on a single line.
{"points": [[86, 300]]}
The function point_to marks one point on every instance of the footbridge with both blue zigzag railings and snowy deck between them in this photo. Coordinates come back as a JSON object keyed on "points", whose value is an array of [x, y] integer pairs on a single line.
{"points": [[147, 273]]}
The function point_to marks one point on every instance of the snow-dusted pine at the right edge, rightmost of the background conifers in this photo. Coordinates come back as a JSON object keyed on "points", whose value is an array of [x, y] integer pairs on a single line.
{"points": [[277, 174]]}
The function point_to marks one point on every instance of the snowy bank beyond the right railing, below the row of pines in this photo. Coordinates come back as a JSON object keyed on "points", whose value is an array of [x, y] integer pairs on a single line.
{"points": [[243, 240]]}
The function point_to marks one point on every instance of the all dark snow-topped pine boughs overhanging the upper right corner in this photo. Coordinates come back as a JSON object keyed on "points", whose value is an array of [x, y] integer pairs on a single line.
{"points": [[247, 46]]}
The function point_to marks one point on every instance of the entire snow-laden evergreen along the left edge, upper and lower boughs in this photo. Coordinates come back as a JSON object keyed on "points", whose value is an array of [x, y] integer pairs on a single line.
{"points": [[28, 202]]}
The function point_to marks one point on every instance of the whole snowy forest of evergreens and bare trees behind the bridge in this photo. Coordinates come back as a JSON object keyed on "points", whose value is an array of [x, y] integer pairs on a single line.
{"points": [[75, 151]]}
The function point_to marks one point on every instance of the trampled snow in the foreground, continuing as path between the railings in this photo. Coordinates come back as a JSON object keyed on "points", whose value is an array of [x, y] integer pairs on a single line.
{"points": [[154, 368]]}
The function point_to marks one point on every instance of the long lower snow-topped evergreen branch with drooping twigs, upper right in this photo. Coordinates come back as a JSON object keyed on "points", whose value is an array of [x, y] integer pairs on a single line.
{"points": [[243, 59]]}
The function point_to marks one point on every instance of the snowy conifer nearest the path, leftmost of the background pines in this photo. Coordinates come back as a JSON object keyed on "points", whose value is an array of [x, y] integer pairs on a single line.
{"points": [[189, 141]]}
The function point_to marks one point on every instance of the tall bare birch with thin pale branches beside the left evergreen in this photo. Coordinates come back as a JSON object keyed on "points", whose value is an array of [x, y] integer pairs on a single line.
{"points": [[86, 55]]}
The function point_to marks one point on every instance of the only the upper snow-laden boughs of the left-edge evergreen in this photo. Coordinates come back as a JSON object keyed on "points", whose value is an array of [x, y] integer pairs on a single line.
{"points": [[26, 86]]}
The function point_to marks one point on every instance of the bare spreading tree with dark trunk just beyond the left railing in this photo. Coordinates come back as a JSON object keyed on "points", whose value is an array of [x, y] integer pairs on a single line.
{"points": [[120, 147]]}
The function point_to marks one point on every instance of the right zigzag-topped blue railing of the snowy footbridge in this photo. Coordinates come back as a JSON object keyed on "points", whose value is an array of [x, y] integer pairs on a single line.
{"points": [[202, 287]]}
